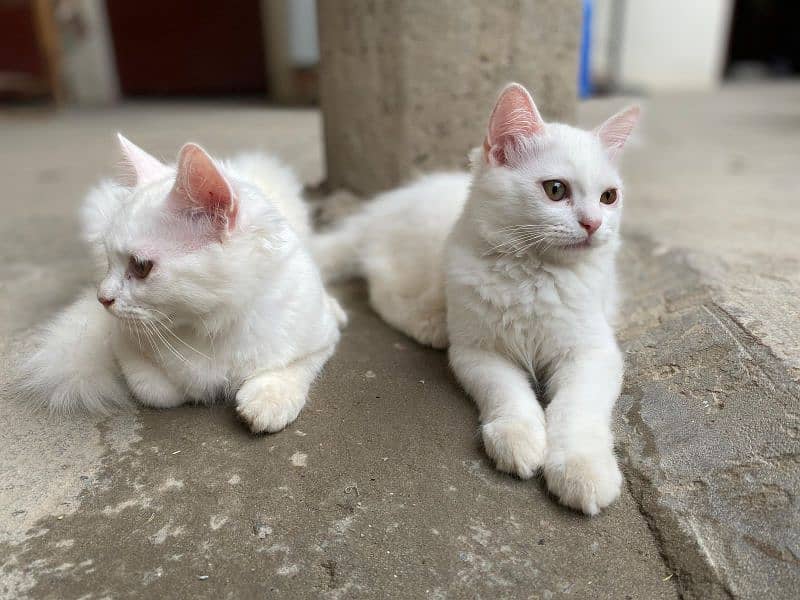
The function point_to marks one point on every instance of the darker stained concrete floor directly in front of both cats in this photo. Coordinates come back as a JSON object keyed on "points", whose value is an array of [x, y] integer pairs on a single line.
{"points": [[379, 489]]}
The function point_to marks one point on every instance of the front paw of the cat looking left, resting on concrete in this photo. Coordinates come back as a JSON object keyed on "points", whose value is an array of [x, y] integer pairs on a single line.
{"points": [[270, 402]]}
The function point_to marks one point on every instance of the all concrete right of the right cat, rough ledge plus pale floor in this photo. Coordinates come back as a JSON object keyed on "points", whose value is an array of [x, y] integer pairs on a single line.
{"points": [[711, 406]]}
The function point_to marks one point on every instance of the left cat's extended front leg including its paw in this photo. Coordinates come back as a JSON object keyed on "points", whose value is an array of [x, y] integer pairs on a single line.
{"points": [[270, 400]]}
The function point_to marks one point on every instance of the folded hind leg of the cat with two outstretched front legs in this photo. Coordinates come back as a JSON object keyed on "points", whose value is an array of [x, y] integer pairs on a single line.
{"points": [[421, 316]]}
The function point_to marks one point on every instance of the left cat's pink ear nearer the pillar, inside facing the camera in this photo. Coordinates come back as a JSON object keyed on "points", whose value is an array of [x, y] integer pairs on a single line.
{"points": [[201, 189]]}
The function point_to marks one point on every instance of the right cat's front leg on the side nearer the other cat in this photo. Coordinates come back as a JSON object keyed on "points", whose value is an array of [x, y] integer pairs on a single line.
{"points": [[512, 421]]}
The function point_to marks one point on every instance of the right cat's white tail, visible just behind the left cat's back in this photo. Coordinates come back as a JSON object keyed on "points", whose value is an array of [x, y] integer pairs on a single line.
{"points": [[337, 251]]}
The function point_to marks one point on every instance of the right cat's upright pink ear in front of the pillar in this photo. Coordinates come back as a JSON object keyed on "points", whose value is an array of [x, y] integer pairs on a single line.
{"points": [[513, 119]]}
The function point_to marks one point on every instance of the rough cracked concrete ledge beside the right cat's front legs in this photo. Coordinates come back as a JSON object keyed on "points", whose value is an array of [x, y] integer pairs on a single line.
{"points": [[710, 435]]}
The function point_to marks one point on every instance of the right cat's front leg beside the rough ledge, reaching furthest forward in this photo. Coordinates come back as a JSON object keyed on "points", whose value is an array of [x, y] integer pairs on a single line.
{"points": [[581, 468]]}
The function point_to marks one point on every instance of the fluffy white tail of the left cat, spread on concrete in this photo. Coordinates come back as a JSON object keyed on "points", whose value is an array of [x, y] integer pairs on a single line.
{"points": [[72, 366]]}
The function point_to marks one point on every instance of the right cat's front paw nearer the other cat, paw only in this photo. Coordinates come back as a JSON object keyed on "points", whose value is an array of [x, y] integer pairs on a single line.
{"points": [[517, 445]]}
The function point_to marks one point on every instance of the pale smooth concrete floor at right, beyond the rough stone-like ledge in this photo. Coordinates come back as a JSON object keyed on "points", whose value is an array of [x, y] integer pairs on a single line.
{"points": [[716, 177]]}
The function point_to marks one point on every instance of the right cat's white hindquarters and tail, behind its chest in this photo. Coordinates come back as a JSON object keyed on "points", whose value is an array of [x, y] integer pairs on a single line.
{"points": [[396, 242]]}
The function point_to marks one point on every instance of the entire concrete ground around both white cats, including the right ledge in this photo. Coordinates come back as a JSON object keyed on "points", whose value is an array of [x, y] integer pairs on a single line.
{"points": [[380, 488]]}
